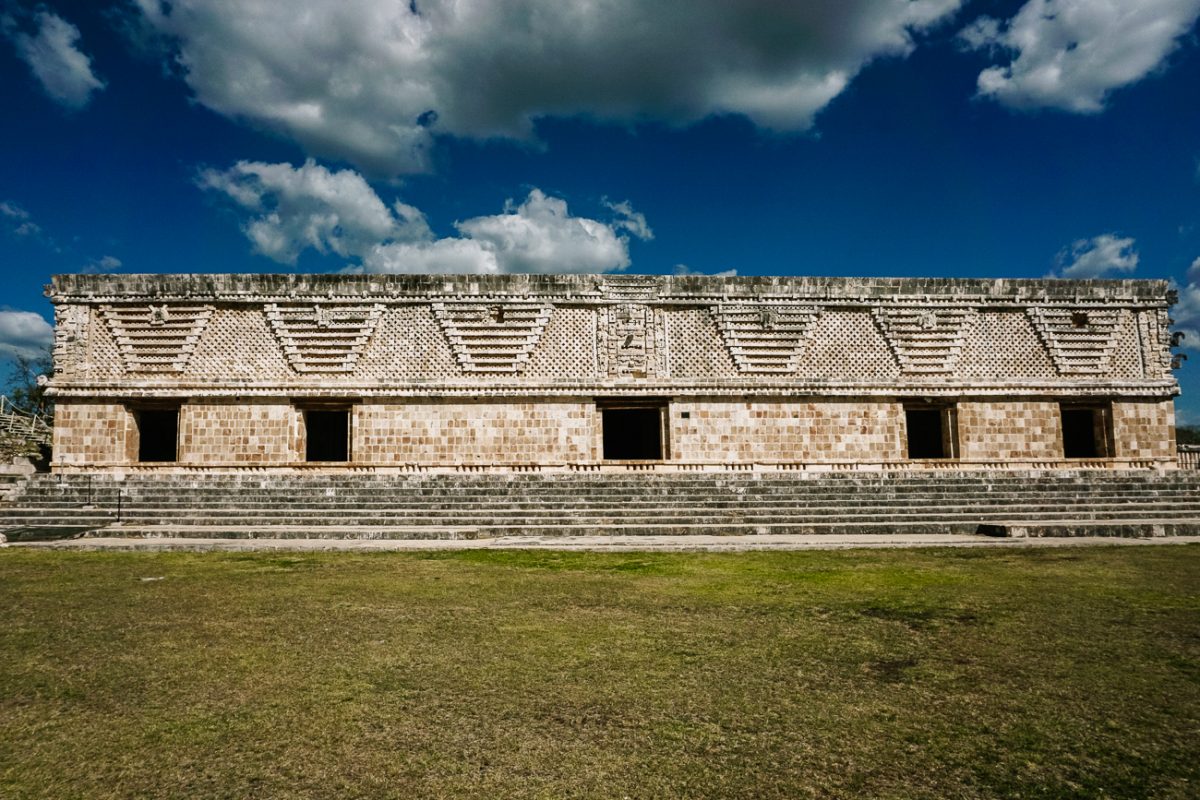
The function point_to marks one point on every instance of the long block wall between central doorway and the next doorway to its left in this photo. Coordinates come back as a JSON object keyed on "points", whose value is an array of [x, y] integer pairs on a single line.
{"points": [[430, 432]]}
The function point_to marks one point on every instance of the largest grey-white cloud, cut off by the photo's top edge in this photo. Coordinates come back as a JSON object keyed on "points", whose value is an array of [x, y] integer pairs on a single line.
{"points": [[374, 82]]}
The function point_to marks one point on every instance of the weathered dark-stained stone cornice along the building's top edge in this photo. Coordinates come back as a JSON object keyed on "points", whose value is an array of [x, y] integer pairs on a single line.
{"points": [[589, 290]]}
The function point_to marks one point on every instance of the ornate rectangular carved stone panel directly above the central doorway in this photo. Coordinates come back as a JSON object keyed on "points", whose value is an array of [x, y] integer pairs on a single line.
{"points": [[632, 341]]}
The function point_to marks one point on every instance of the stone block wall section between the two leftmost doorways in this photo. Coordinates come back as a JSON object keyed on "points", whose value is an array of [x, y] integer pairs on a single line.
{"points": [[239, 434]]}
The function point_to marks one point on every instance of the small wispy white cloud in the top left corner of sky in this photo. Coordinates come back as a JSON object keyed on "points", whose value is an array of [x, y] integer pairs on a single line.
{"points": [[58, 64]]}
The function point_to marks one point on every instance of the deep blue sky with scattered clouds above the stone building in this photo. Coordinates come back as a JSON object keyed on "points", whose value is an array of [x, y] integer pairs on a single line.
{"points": [[839, 137]]}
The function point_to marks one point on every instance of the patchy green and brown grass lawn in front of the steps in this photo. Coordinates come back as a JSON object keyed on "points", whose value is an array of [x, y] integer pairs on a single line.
{"points": [[539, 675]]}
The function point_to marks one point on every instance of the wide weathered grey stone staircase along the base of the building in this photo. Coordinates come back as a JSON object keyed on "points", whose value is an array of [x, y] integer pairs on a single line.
{"points": [[371, 506]]}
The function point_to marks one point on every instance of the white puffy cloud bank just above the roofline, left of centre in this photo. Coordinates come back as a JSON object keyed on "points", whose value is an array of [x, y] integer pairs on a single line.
{"points": [[297, 208]]}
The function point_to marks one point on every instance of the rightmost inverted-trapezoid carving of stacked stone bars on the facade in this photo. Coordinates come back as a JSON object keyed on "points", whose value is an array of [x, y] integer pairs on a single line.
{"points": [[1081, 341]]}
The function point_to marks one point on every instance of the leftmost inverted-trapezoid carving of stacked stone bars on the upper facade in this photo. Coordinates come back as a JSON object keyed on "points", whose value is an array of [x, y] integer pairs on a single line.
{"points": [[157, 339]]}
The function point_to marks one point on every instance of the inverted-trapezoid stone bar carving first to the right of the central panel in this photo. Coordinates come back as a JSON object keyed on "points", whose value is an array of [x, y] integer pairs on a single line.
{"points": [[766, 339]]}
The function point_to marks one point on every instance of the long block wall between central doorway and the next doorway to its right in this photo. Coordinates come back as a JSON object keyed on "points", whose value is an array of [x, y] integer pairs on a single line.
{"points": [[787, 431]]}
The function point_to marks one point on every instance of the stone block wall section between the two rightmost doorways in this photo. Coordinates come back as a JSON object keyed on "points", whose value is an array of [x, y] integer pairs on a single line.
{"points": [[1010, 430]]}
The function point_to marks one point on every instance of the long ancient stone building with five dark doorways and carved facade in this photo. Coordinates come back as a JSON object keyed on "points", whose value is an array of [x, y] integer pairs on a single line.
{"points": [[427, 374]]}
